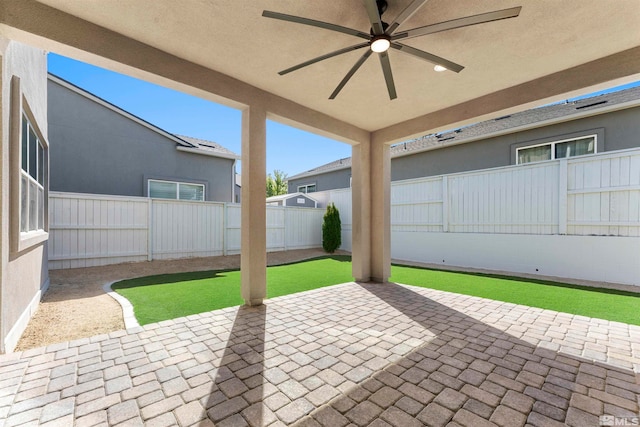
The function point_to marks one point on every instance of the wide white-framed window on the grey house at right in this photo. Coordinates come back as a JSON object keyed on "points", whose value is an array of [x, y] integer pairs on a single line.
{"points": [[557, 150]]}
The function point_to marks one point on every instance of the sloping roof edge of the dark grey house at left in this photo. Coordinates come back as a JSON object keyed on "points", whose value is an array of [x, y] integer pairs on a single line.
{"points": [[193, 145]]}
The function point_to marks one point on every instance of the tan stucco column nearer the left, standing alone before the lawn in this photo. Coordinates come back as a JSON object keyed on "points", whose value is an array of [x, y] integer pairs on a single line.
{"points": [[253, 259]]}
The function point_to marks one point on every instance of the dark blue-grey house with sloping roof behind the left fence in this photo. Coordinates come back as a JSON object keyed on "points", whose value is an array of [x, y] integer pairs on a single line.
{"points": [[125, 155]]}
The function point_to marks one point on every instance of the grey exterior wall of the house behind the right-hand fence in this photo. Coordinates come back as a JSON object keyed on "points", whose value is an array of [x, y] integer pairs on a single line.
{"points": [[615, 130]]}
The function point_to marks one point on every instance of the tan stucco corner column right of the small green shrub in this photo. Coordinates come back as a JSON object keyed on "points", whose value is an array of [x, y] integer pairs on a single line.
{"points": [[370, 192]]}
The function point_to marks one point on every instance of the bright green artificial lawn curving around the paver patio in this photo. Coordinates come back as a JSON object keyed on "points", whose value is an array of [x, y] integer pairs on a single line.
{"points": [[168, 296]]}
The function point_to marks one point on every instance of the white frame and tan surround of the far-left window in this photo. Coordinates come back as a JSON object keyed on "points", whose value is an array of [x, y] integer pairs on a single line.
{"points": [[23, 240]]}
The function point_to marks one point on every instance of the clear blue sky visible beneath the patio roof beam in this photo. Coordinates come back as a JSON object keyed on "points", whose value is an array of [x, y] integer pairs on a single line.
{"points": [[288, 149]]}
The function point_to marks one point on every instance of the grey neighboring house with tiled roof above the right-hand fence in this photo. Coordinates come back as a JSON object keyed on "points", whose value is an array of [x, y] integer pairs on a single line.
{"points": [[597, 124]]}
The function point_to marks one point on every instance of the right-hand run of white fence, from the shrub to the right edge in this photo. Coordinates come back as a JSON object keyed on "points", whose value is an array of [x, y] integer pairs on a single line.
{"points": [[573, 218]]}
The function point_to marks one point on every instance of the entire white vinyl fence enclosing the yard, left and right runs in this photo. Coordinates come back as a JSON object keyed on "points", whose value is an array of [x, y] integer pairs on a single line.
{"points": [[573, 218]]}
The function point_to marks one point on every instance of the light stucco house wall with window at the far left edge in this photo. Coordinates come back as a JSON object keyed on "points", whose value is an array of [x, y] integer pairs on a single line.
{"points": [[24, 188]]}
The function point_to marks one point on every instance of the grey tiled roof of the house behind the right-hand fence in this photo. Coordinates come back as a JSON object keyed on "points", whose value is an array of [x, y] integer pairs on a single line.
{"points": [[529, 119]]}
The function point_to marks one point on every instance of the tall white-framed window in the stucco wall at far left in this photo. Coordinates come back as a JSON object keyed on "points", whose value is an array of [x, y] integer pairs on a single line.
{"points": [[32, 179]]}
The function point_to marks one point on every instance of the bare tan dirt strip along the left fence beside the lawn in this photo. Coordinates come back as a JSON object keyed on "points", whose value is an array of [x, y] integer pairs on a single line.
{"points": [[76, 306]]}
